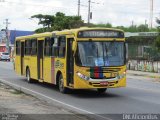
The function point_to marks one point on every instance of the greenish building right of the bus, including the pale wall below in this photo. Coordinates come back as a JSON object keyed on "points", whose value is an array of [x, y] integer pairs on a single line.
{"points": [[142, 55]]}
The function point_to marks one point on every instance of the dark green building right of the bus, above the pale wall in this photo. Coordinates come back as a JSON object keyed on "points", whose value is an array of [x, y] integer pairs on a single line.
{"points": [[140, 45]]}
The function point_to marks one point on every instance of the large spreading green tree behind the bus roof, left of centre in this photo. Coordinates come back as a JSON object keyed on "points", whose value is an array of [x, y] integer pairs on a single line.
{"points": [[59, 21]]}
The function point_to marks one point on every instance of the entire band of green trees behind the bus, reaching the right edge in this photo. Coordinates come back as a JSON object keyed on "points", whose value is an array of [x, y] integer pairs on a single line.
{"points": [[60, 21]]}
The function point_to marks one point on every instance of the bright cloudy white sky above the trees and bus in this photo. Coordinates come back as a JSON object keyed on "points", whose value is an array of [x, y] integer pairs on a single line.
{"points": [[116, 12]]}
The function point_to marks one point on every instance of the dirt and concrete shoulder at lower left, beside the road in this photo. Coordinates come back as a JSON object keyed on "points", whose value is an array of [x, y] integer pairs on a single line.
{"points": [[20, 106]]}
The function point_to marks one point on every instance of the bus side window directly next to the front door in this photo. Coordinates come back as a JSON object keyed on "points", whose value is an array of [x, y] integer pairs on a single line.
{"points": [[62, 46]]}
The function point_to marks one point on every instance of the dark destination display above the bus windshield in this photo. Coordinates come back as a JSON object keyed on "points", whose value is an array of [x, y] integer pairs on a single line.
{"points": [[100, 34]]}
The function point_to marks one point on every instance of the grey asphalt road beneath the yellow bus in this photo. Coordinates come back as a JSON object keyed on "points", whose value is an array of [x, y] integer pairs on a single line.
{"points": [[141, 95]]}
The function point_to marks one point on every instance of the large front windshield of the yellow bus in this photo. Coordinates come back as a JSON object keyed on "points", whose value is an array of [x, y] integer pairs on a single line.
{"points": [[91, 54]]}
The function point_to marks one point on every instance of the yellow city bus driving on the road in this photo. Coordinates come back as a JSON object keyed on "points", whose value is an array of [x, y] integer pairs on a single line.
{"points": [[84, 58]]}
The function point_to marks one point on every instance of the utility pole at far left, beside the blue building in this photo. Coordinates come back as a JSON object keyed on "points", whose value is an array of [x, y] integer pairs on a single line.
{"points": [[7, 35]]}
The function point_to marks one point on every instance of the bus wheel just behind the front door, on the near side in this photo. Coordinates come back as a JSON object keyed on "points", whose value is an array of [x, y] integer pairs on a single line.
{"points": [[62, 89]]}
